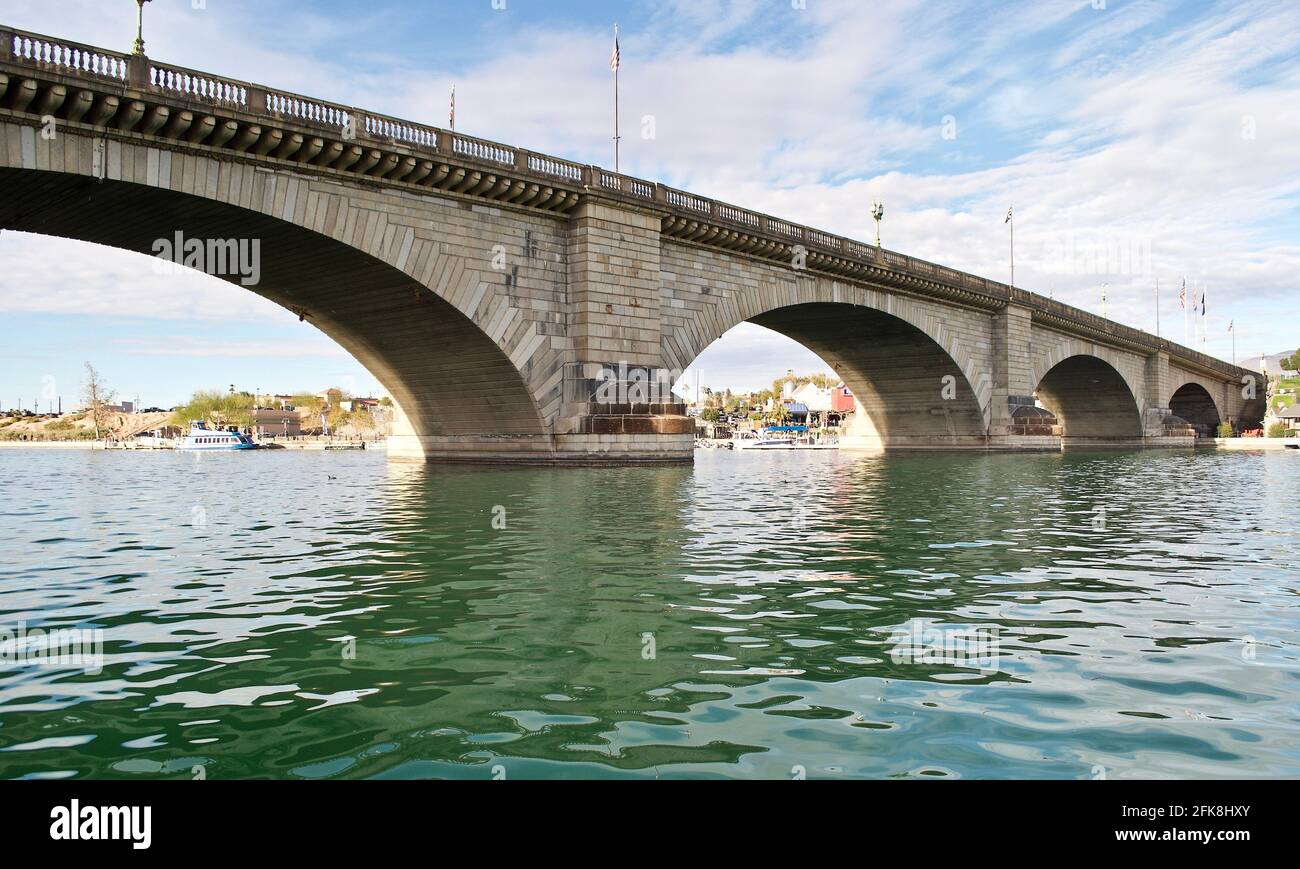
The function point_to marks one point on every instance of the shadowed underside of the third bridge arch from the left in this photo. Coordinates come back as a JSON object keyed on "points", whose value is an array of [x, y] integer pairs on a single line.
{"points": [[1091, 401]]}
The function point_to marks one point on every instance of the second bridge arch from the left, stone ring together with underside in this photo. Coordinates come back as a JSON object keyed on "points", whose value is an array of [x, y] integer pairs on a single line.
{"points": [[916, 381]]}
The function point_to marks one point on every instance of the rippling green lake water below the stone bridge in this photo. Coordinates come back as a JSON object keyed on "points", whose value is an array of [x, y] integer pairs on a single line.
{"points": [[756, 616]]}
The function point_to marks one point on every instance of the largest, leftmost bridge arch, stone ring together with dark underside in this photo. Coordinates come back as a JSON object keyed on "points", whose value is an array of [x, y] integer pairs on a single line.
{"points": [[428, 322]]}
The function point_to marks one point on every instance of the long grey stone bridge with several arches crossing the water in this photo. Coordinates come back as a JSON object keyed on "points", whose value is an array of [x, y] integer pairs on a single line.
{"points": [[523, 308]]}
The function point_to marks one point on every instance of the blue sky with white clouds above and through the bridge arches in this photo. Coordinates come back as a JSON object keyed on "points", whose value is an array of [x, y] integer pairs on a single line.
{"points": [[1138, 141]]}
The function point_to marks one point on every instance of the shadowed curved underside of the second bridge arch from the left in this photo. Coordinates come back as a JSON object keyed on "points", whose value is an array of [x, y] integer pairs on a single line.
{"points": [[911, 392]]}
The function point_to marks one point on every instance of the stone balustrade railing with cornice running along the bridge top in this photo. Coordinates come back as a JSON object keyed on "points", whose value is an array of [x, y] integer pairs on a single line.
{"points": [[73, 60]]}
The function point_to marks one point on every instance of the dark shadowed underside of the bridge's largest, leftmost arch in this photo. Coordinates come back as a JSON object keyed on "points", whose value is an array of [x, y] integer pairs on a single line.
{"points": [[447, 375]]}
